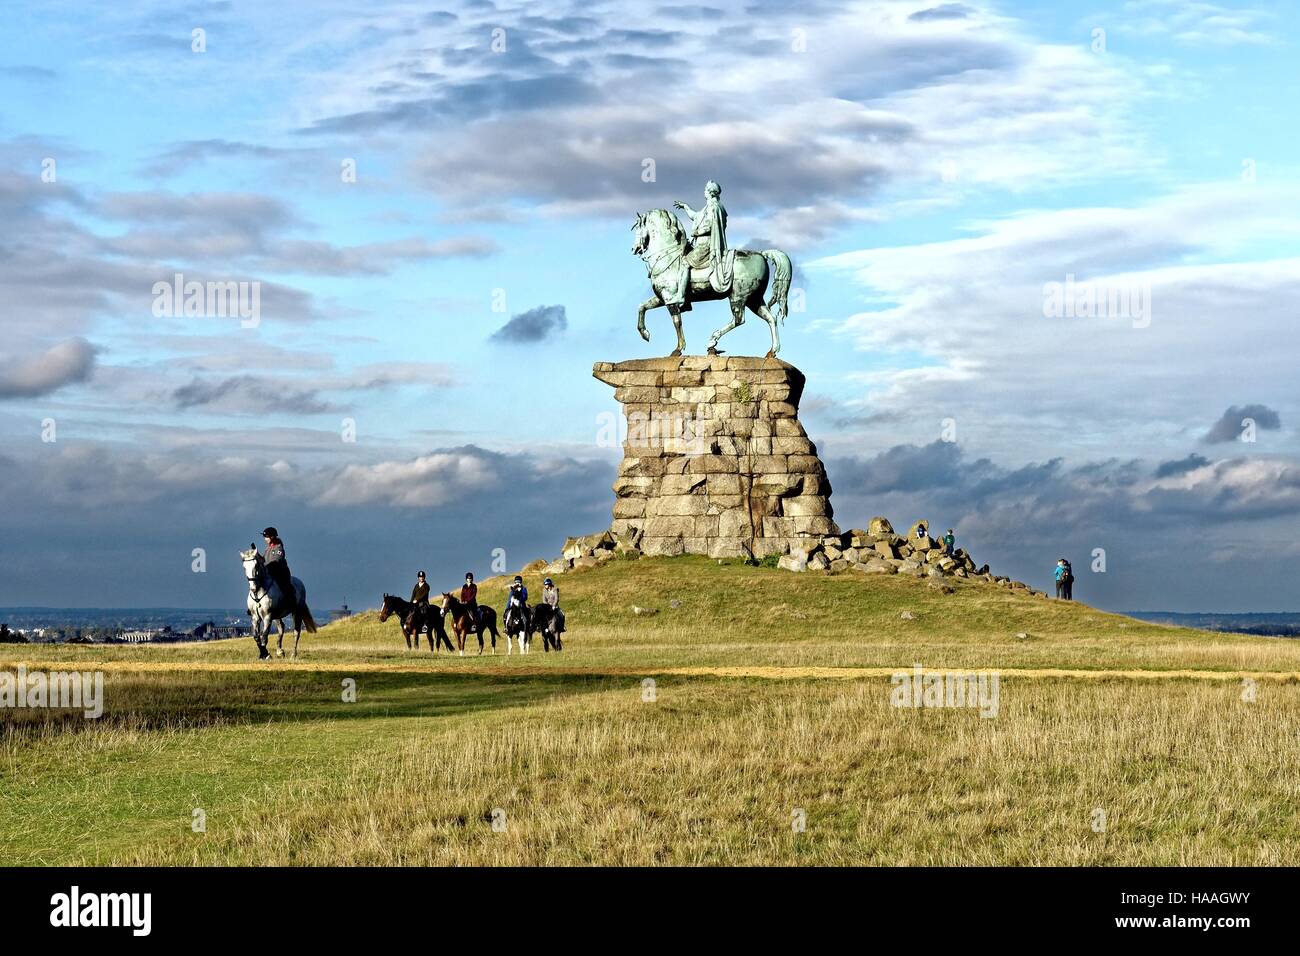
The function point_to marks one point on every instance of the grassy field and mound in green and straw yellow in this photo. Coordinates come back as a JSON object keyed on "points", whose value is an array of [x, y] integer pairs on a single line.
{"points": [[772, 698]]}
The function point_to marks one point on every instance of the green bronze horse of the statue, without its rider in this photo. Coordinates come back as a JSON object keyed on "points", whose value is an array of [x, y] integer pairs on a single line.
{"points": [[662, 243]]}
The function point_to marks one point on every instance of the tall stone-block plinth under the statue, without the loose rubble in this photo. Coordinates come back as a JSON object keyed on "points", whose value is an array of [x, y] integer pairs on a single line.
{"points": [[716, 460]]}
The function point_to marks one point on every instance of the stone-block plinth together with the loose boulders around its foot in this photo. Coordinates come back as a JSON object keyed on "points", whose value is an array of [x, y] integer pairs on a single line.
{"points": [[717, 462]]}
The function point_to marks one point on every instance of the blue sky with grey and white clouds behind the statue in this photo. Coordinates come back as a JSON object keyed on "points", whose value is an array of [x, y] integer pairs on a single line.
{"points": [[1047, 261]]}
